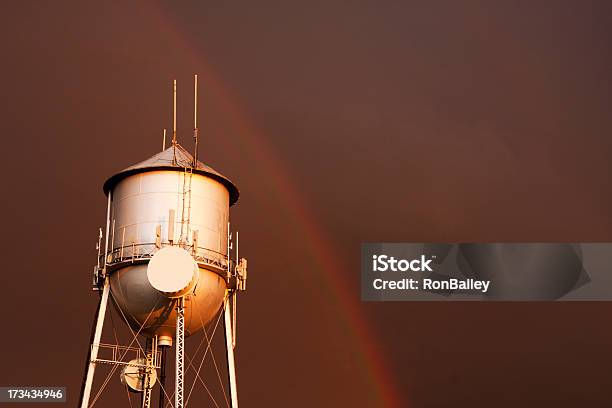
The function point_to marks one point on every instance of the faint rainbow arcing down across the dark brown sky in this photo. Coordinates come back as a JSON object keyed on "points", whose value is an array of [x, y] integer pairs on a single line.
{"points": [[383, 391]]}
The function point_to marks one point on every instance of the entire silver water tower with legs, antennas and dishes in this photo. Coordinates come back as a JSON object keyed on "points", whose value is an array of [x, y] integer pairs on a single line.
{"points": [[166, 266]]}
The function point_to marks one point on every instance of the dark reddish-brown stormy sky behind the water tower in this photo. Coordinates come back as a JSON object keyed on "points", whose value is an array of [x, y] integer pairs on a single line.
{"points": [[391, 121]]}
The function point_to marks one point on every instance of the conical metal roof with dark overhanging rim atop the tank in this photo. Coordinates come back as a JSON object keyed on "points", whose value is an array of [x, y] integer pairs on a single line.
{"points": [[173, 158]]}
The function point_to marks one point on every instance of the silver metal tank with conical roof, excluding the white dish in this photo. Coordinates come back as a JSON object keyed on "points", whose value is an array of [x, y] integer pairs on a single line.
{"points": [[160, 202]]}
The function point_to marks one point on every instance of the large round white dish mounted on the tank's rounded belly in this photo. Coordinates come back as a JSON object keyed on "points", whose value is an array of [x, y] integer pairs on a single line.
{"points": [[173, 272]]}
